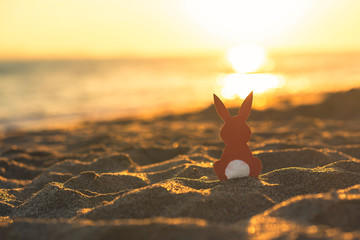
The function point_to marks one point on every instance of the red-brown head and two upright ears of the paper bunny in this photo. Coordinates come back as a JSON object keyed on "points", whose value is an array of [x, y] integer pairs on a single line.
{"points": [[235, 129]]}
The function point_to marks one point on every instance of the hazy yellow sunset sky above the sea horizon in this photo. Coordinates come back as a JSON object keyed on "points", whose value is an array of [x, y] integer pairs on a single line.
{"points": [[33, 29]]}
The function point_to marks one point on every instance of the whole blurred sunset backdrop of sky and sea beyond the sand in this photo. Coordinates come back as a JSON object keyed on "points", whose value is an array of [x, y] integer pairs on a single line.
{"points": [[66, 61]]}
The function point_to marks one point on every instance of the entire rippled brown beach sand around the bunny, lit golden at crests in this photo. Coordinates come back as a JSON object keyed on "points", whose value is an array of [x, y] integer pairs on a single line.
{"points": [[153, 178]]}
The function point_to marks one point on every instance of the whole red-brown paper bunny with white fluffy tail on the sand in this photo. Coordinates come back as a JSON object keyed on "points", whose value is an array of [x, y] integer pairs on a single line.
{"points": [[236, 159]]}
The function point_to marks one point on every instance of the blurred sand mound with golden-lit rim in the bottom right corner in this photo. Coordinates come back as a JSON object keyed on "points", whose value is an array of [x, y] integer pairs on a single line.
{"points": [[312, 216]]}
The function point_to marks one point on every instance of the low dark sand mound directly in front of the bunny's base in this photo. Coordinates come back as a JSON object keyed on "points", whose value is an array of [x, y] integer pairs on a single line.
{"points": [[183, 201]]}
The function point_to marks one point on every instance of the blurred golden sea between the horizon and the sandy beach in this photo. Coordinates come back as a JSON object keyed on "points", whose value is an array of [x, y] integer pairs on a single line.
{"points": [[51, 93]]}
